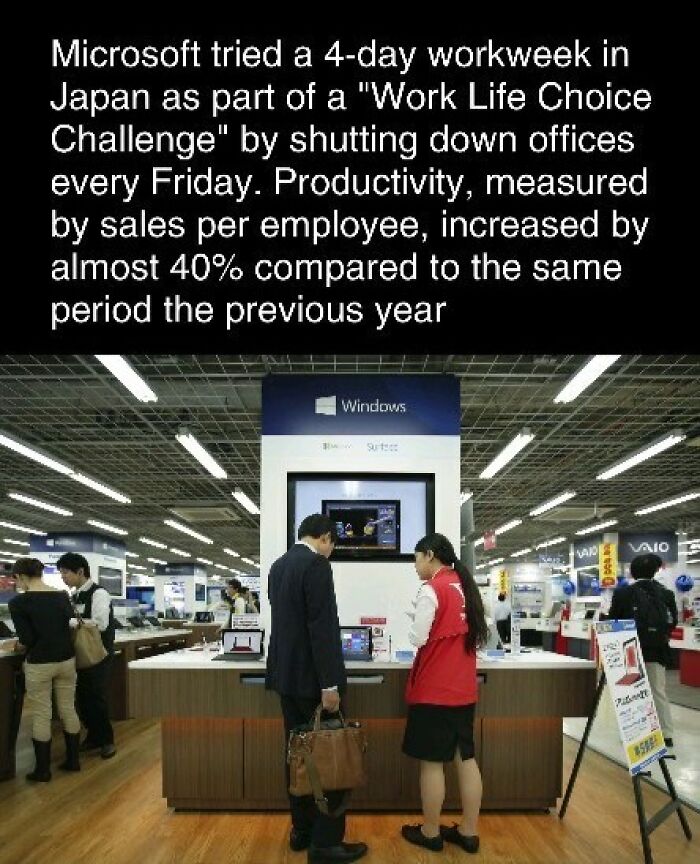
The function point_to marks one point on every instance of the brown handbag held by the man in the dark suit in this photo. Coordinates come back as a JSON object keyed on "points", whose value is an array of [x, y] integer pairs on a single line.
{"points": [[326, 756]]}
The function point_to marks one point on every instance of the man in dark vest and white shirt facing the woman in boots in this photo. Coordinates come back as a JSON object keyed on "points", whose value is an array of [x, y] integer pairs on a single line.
{"points": [[92, 692]]}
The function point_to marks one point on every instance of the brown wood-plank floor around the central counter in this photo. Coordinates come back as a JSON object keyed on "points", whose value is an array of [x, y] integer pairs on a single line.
{"points": [[113, 813]]}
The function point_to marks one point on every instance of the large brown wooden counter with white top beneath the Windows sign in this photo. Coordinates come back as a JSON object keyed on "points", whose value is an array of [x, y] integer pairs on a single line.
{"points": [[223, 739]]}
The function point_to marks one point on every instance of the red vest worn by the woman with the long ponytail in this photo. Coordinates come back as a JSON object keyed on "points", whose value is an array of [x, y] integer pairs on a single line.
{"points": [[443, 673]]}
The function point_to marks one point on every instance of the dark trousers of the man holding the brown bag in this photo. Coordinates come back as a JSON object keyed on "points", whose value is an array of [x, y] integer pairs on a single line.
{"points": [[323, 830]]}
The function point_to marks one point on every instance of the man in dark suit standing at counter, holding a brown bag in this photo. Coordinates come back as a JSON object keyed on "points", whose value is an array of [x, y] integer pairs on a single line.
{"points": [[305, 666]]}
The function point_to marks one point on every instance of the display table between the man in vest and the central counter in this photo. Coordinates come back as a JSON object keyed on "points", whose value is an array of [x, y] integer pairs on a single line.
{"points": [[135, 645]]}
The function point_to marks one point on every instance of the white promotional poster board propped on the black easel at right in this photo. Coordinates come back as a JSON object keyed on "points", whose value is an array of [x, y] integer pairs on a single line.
{"points": [[626, 676]]}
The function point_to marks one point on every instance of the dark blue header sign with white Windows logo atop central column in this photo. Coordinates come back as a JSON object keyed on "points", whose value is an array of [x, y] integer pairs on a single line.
{"points": [[360, 405]]}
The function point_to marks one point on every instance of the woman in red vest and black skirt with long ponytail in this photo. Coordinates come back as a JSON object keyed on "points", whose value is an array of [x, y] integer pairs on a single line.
{"points": [[448, 626]]}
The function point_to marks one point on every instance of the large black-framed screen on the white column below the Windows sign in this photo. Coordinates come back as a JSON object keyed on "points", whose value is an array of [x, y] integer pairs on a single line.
{"points": [[378, 517]]}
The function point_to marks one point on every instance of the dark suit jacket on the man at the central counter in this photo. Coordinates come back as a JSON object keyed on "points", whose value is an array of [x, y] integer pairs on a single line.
{"points": [[304, 654]]}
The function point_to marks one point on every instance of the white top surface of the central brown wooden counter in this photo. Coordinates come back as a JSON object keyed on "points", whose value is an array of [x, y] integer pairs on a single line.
{"points": [[195, 659]]}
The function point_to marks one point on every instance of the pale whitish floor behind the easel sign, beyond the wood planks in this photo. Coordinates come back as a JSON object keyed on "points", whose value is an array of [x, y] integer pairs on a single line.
{"points": [[685, 770]]}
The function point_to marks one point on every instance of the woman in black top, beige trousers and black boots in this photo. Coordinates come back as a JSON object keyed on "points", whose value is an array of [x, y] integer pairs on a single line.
{"points": [[41, 616]]}
